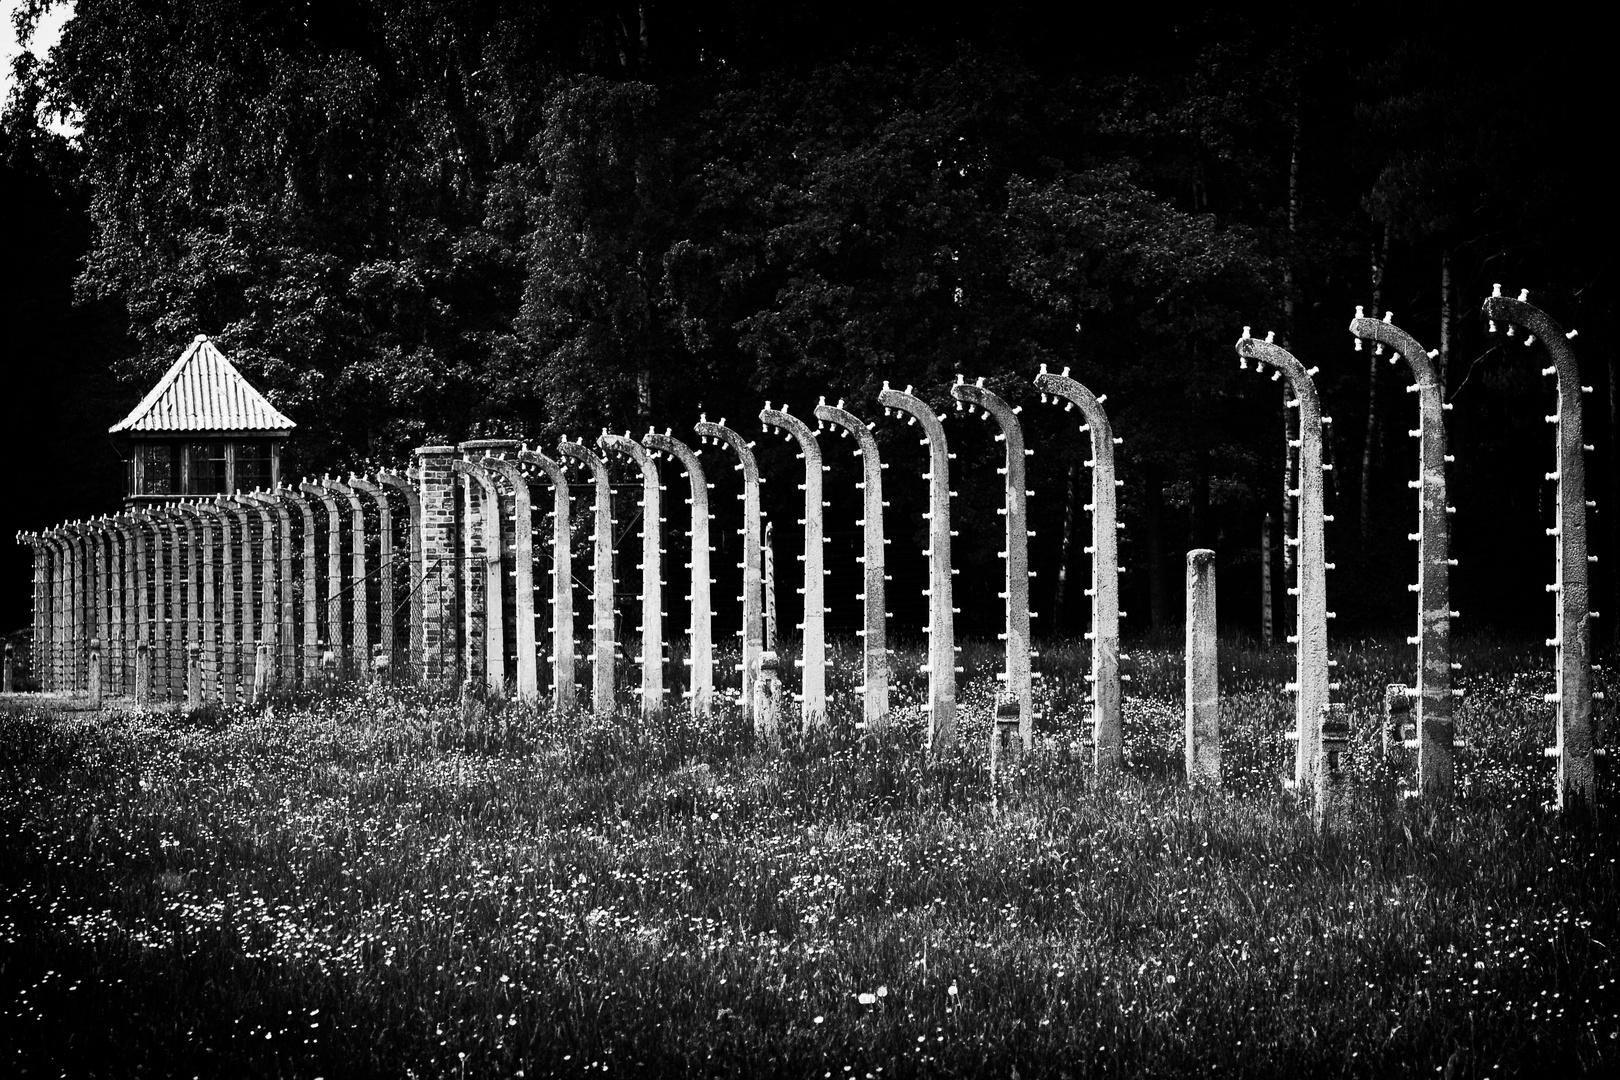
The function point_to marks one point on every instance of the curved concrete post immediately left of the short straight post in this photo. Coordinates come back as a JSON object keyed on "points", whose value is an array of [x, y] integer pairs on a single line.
{"points": [[1107, 725]]}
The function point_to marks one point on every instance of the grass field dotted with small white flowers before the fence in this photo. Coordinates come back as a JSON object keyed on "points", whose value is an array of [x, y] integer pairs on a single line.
{"points": [[383, 883]]}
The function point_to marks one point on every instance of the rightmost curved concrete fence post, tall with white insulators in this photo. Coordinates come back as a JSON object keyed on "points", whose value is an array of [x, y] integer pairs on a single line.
{"points": [[1574, 647]]}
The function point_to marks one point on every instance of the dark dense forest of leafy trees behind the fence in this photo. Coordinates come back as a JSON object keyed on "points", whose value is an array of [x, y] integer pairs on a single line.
{"points": [[438, 219]]}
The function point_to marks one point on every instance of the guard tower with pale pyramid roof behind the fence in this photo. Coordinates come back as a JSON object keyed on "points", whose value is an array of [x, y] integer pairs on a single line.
{"points": [[202, 432]]}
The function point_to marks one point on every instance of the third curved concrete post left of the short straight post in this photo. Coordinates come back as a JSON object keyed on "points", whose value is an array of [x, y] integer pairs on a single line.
{"points": [[942, 624]]}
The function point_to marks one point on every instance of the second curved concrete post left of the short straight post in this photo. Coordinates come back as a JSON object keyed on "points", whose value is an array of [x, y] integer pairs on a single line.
{"points": [[1015, 553]]}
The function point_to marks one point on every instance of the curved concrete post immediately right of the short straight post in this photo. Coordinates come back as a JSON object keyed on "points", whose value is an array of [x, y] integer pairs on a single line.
{"points": [[1311, 666]]}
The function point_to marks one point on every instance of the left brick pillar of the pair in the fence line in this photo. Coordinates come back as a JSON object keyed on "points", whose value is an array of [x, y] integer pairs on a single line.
{"points": [[441, 550]]}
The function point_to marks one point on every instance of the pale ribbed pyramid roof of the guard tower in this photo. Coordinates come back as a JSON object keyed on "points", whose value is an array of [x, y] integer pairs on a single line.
{"points": [[203, 393]]}
